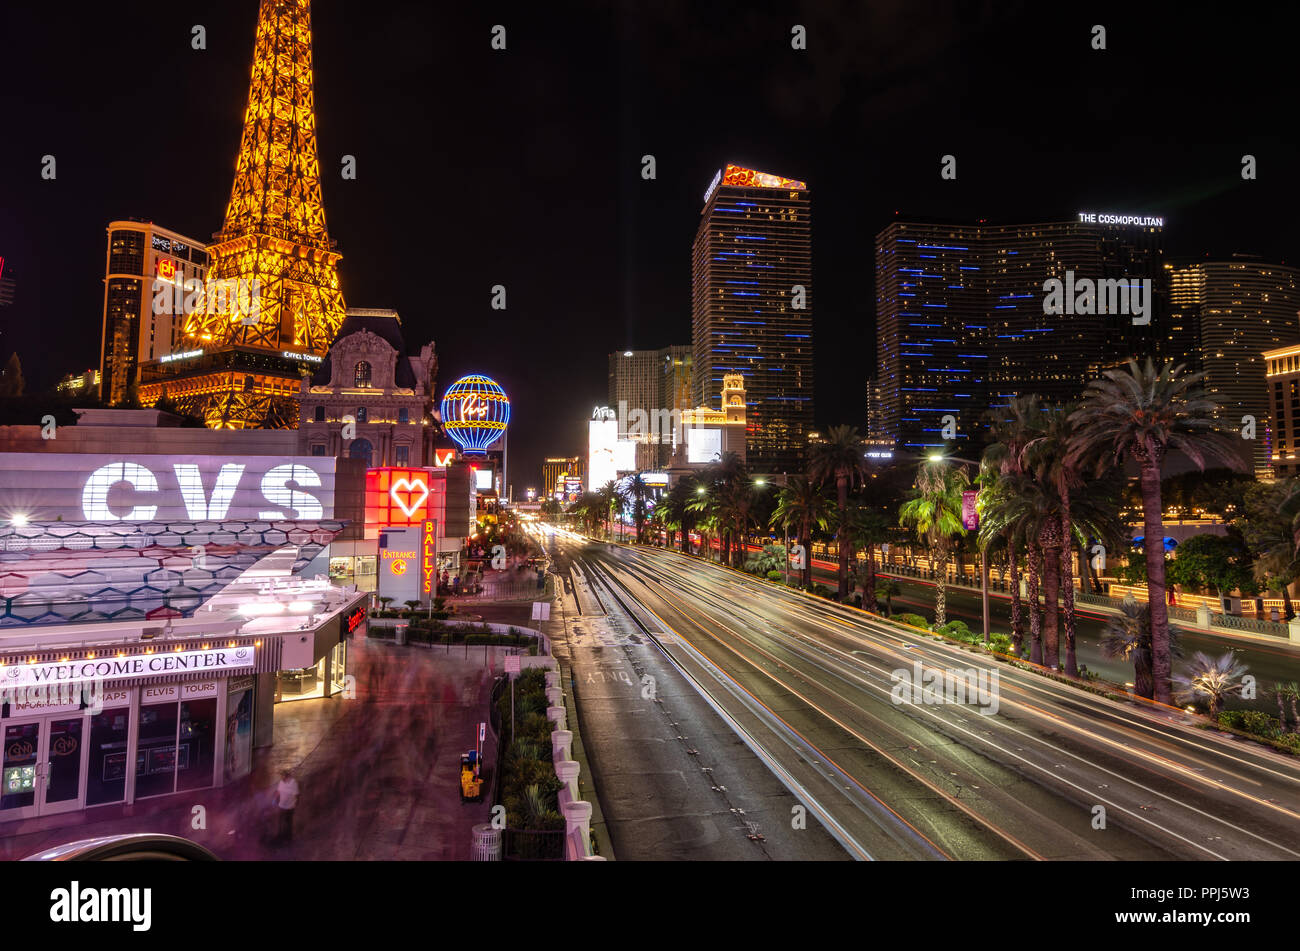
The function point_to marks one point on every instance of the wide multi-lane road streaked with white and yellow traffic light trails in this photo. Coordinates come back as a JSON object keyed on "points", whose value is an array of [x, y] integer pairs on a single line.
{"points": [[816, 711]]}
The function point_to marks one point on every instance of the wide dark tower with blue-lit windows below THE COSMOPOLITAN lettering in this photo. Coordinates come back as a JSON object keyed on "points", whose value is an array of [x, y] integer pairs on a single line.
{"points": [[961, 324]]}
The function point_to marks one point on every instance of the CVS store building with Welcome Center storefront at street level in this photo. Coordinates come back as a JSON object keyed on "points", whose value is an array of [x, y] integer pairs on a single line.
{"points": [[157, 606]]}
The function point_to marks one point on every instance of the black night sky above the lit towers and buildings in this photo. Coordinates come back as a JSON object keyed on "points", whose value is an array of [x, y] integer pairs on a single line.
{"points": [[523, 167]]}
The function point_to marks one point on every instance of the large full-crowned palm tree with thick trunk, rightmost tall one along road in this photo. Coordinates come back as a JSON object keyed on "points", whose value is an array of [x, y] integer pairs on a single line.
{"points": [[1141, 414]]}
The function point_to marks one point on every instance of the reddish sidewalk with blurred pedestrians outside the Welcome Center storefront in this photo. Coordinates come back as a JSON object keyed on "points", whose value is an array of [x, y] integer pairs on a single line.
{"points": [[379, 775]]}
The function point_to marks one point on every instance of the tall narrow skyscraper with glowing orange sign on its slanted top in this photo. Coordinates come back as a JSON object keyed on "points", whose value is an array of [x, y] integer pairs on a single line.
{"points": [[752, 309]]}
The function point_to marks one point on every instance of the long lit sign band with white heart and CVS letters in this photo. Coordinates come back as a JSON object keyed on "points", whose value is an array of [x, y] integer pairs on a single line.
{"points": [[97, 488]]}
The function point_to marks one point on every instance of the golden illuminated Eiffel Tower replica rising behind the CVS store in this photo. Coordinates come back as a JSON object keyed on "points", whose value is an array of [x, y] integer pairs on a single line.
{"points": [[241, 367]]}
